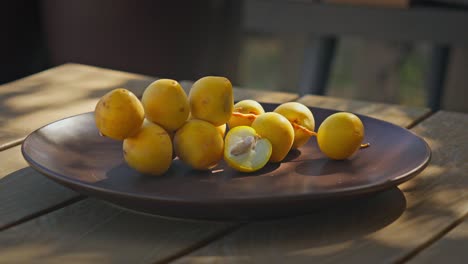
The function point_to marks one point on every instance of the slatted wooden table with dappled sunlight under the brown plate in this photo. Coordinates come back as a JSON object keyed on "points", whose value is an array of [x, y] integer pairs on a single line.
{"points": [[423, 220]]}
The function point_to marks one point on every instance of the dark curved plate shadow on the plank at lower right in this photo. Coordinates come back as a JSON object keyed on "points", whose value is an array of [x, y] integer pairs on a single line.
{"points": [[321, 236]]}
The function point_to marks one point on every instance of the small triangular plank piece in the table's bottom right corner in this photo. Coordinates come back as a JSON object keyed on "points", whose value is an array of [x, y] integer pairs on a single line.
{"points": [[449, 249]]}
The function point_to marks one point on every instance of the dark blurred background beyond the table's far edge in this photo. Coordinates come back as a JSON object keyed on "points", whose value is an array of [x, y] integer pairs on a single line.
{"points": [[395, 51]]}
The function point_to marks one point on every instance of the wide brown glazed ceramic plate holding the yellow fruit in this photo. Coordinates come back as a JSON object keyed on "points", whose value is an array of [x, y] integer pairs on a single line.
{"points": [[71, 152]]}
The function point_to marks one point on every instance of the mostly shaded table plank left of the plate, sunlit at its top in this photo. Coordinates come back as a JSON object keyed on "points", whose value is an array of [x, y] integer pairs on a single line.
{"points": [[24, 192]]}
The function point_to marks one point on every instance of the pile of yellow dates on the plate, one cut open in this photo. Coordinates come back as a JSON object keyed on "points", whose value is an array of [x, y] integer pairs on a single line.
{"points": [[167, 123]]}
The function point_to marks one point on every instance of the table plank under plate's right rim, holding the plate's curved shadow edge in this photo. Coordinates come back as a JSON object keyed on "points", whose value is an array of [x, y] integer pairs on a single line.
{"points": [[373, 230]]}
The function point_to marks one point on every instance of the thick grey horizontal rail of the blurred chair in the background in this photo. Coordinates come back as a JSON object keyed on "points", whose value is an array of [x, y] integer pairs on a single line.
{"points": [[439, 25]]}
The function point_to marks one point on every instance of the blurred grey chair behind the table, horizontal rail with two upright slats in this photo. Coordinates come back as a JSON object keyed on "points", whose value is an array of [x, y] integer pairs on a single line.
{"points": [[441, 26]]}
